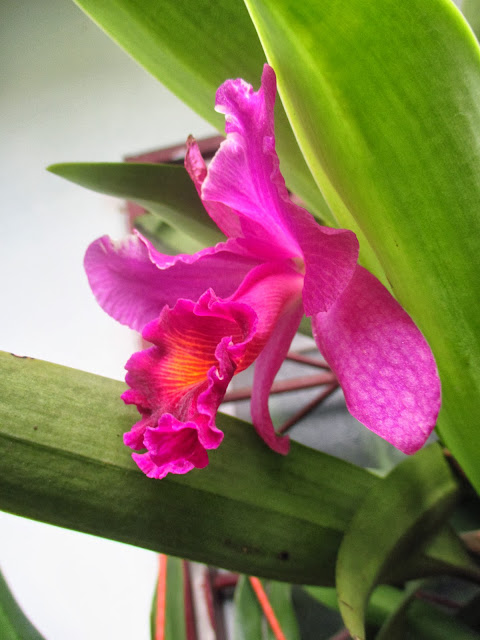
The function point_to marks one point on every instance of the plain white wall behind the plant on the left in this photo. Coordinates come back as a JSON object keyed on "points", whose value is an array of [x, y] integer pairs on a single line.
{"points": [[70, 94]]}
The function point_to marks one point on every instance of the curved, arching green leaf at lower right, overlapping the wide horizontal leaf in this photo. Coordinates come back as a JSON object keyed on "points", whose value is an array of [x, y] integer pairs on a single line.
{"points": [[399, 515]]}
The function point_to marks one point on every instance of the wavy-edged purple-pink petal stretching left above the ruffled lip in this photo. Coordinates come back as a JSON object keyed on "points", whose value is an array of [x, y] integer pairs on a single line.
{"points": [[132, 281]]}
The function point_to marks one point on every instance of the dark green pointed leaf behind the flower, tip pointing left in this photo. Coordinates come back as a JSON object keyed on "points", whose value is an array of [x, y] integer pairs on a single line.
{"points": [[164, 189]]}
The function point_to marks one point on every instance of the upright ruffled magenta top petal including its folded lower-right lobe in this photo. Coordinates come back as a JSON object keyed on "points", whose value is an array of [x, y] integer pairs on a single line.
{"points": [[245, 176]]}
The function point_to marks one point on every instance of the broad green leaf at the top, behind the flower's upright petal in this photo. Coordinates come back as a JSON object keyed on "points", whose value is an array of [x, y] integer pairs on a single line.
{"points": [[192, 47]]}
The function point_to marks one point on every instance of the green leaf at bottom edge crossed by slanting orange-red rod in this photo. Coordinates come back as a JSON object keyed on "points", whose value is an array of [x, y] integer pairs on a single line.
{"points": [[249, 620]]}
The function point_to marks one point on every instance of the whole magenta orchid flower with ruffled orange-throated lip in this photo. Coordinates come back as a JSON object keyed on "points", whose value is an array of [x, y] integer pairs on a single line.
{"points": [[210, 315]]}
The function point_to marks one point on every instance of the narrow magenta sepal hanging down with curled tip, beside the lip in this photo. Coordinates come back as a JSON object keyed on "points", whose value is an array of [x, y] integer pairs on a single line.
{"points": [[266, 367]]}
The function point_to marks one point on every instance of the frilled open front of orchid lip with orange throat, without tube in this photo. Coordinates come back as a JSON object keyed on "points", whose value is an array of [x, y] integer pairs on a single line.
{"points": [[180, 381]]}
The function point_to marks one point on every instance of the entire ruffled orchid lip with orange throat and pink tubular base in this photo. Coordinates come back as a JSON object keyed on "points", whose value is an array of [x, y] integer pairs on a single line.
{"points": [[179, 382]]}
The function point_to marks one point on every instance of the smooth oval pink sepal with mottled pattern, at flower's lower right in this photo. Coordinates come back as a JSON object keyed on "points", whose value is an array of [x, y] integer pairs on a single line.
{"points": [[382, 361]]}
